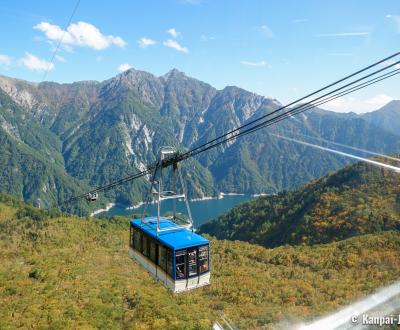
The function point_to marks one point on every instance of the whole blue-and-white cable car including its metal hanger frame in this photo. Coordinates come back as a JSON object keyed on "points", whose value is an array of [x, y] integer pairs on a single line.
{"points": [[168, 247]]}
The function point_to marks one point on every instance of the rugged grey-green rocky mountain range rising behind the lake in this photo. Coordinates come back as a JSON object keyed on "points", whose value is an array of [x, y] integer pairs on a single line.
{"points": [[97, 132]]}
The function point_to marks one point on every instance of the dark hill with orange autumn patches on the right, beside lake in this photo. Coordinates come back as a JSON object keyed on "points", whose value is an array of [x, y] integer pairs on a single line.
{"points": [[359, 199]]}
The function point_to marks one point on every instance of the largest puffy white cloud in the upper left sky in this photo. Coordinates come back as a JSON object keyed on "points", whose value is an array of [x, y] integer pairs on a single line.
{"points": [[79, 34]]}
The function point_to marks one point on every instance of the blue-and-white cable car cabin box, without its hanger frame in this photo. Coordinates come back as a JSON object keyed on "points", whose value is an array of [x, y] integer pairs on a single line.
{"points": [[179, 258]]}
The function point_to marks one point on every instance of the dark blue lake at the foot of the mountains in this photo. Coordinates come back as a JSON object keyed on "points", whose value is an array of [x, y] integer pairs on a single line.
{"points": [[202, 211]]}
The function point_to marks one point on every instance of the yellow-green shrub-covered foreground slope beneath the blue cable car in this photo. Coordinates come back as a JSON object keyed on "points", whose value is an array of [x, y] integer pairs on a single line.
{"points": [[60, 272]]}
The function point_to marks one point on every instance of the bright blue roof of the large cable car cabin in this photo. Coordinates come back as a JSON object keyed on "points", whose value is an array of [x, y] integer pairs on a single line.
{"points": [[176, 239]]}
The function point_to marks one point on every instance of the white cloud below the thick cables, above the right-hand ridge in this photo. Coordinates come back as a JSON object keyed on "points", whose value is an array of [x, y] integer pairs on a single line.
{"points": [[347, 104]]}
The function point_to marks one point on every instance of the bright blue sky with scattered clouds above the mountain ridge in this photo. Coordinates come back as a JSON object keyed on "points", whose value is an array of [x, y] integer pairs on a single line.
{"points": [[279, 49]]}
